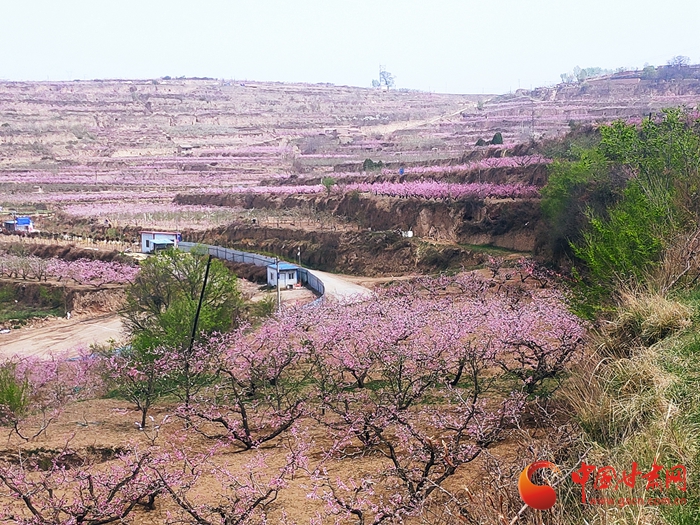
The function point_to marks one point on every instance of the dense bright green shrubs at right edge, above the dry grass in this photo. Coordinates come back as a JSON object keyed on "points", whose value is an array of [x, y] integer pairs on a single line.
{"points": [[618, 204]]}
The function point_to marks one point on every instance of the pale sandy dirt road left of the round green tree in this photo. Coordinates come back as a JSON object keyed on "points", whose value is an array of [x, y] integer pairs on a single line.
{"points": [[61, 335]]}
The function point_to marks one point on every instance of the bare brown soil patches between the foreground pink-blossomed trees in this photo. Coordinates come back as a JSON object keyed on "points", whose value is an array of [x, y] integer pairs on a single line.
{"points": [[97, 431]]}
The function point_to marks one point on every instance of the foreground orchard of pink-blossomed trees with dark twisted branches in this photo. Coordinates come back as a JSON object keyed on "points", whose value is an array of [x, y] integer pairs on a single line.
{"points": [[392, 377]]}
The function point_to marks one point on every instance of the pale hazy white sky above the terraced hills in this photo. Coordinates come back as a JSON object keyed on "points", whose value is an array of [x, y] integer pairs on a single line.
{"points": [[458, 46]]}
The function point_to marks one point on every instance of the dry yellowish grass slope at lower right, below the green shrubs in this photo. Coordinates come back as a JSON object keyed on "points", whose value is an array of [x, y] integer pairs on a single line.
{"points": [[633, 402]]}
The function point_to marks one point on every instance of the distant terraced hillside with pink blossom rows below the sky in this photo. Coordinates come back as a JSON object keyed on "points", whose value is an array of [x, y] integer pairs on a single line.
{"points": [[195, 154]]}
